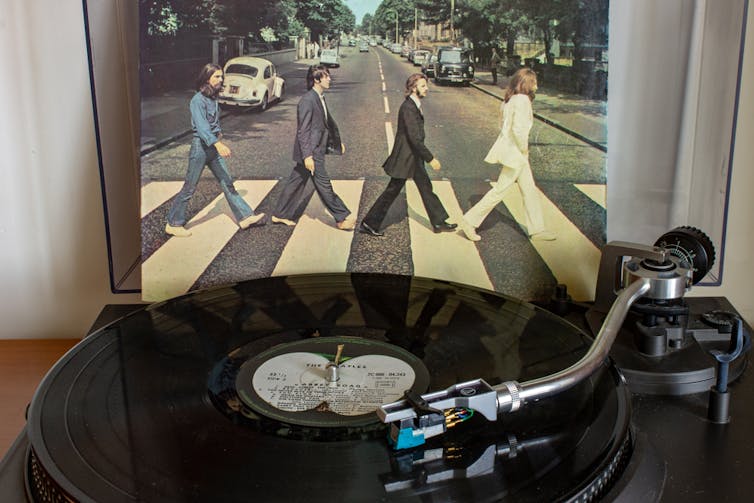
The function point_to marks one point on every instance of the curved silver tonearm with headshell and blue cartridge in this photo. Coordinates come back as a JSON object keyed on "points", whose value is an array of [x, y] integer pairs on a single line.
{"points": [[652, 272]]}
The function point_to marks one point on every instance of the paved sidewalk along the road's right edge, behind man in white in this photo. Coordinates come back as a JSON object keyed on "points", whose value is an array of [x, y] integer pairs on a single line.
{"points": [[582, 118]]}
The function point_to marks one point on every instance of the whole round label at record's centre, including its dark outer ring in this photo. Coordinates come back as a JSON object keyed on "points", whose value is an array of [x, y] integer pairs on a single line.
{"points": [[328, 381]]}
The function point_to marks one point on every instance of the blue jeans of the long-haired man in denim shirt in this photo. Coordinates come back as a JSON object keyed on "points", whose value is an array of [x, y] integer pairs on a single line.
{"points": [[200, 156]]}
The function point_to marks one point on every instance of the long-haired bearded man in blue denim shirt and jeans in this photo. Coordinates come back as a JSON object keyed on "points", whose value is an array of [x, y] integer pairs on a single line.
{"points": [[207, 149]]}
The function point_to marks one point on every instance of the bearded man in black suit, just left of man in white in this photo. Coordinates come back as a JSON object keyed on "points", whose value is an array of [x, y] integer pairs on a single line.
{"points": [[407, 161]]}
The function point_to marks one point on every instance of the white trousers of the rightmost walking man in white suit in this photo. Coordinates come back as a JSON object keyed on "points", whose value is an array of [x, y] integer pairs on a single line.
{"points": [[508, 176]]}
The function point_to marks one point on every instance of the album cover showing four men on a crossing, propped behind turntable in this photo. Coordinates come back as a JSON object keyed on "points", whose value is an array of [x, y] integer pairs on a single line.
{"points": [[287, 137]]}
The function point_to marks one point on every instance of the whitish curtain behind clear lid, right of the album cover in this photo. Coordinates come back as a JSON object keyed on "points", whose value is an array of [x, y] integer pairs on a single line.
{"points": [[674, 69]]}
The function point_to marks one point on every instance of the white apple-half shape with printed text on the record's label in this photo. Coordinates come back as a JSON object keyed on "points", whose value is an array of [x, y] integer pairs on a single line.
{"points": [[295, 382]]}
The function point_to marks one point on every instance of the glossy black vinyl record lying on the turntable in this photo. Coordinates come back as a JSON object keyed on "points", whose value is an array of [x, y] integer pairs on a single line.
{"points": [[200, 399]]}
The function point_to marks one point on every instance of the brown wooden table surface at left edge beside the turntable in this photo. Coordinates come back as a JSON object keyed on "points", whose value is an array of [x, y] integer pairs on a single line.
{"points": [[23, 364]]}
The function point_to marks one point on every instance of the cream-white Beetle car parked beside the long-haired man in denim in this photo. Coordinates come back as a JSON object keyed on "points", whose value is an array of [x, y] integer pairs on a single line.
{"points": [[251, 82]]}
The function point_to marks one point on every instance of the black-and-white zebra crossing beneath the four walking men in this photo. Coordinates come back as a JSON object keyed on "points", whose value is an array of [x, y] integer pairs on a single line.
{"points": [[173, 266]]}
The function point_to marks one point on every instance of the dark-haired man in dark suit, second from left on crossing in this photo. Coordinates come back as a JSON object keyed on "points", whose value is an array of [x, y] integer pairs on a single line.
{"points": [[316, 135]]}
